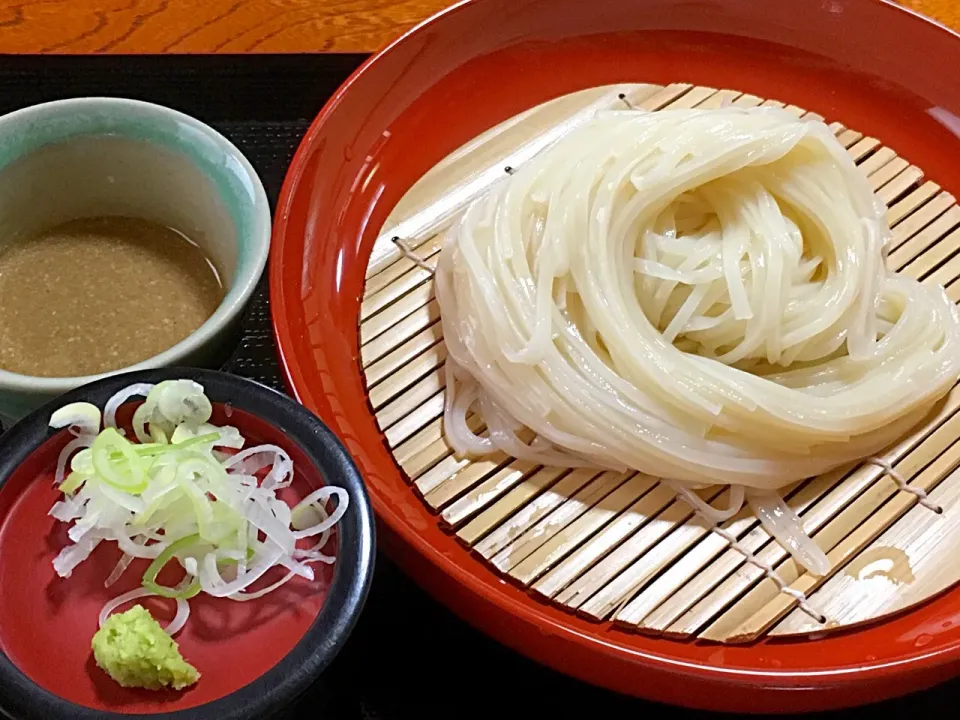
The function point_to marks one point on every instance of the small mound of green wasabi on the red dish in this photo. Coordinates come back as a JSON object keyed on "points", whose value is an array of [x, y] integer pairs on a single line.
{"points": [[134, 650]]}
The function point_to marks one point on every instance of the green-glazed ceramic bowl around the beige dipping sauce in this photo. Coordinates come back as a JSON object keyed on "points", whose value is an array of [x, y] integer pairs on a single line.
{"points": [[108, 156]]}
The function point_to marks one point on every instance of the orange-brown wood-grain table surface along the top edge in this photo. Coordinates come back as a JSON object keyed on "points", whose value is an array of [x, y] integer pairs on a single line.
{"points": [[230, 26]]}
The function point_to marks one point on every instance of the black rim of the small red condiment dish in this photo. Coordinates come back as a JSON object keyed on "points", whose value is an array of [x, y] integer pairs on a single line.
{"points": [[284, 682]]}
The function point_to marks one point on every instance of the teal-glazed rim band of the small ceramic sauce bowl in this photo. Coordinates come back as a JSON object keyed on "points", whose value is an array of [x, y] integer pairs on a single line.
{"points": [[27, 130]]}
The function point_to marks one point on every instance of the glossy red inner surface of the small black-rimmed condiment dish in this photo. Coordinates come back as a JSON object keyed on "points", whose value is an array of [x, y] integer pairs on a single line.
{"points": [[41, 614]]}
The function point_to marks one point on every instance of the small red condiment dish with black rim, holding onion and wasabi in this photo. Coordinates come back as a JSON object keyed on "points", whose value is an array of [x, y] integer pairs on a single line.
{"points": [[254, 657]]}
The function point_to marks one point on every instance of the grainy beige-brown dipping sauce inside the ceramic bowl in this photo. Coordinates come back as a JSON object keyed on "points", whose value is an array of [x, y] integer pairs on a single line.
{"points": [[100, 294]]}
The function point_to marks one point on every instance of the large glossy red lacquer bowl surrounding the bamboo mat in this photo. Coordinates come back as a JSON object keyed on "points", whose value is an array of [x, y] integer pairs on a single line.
{"points": [[869, 64]]}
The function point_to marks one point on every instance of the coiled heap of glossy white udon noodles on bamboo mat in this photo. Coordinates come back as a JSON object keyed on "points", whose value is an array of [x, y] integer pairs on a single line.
{"points": [[699, 295]]}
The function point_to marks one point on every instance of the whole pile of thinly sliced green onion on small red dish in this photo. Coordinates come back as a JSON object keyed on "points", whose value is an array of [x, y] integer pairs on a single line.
{"points": [[174, 486]]}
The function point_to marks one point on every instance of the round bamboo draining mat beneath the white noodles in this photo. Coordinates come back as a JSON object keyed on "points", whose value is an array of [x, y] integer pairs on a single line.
{"points": [[621, 547]]}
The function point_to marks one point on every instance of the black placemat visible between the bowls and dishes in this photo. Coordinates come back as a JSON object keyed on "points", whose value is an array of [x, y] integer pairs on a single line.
{"points": [[409, 657]]}
